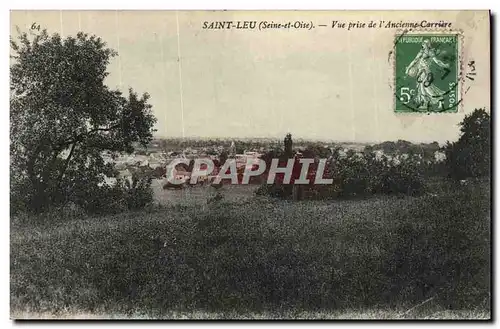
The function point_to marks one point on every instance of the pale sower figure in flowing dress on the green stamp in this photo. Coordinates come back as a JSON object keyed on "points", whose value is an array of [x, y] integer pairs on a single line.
{"points": [[427, 93]]}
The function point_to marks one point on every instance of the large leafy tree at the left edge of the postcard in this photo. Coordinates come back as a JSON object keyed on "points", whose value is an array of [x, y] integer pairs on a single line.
{"points": [[63, 117]]}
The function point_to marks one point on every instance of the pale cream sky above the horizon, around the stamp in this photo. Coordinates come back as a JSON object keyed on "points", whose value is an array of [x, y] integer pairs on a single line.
{"points": [[323, 83]]}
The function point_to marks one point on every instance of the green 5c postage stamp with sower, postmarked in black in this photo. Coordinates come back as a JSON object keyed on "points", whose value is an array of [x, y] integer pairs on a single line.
{"points": [[427, 72]]}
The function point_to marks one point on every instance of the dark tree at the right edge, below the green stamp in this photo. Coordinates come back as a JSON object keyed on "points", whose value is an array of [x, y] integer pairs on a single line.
{"points": [[470, 155]]}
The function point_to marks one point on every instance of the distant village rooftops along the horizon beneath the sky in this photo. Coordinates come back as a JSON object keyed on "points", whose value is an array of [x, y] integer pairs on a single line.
{"points": [[155, 157]]}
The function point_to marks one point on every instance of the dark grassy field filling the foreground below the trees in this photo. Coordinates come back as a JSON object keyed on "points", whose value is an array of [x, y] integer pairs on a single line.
{"points": [[383, 257]]}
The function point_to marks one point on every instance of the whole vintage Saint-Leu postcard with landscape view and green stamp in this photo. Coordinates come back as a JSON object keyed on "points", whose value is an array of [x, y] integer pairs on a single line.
{"points": [[250, 164]]}
